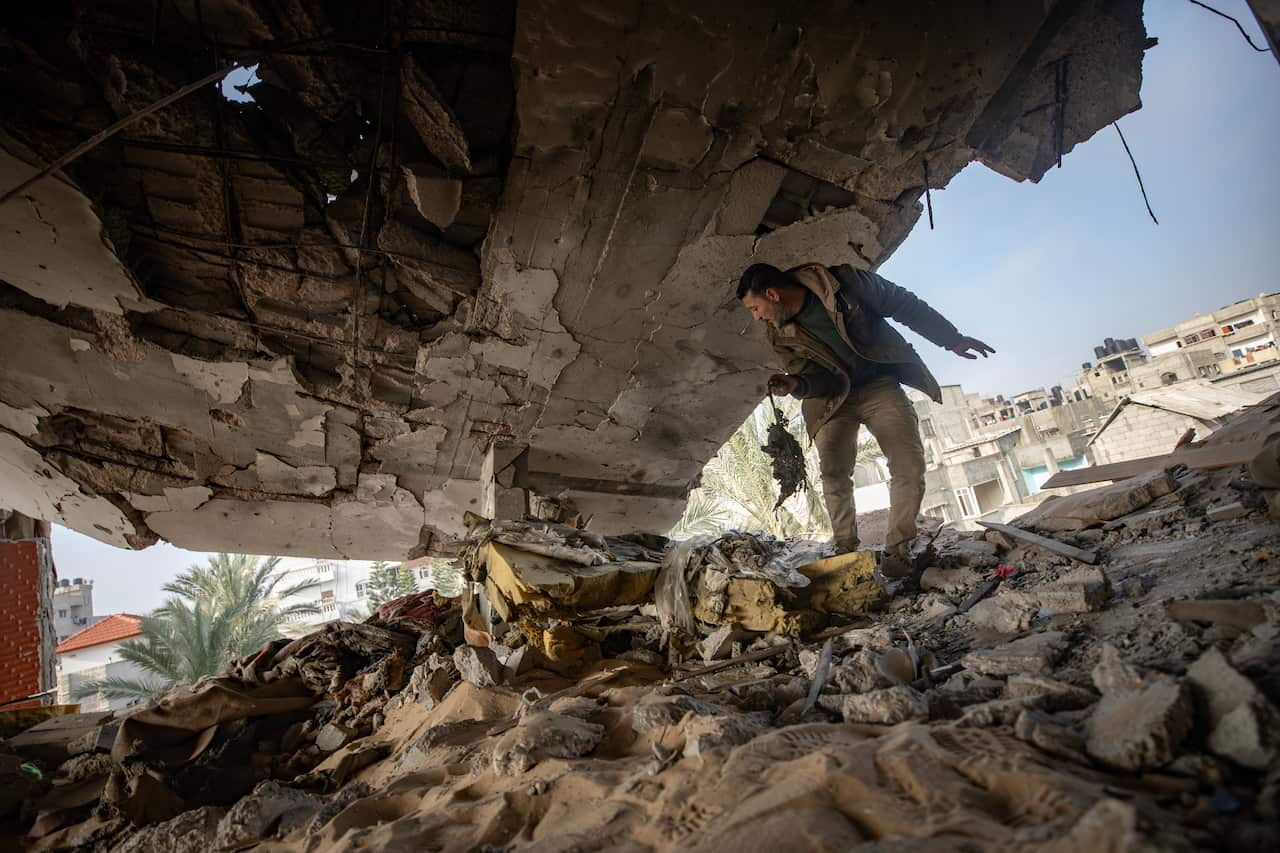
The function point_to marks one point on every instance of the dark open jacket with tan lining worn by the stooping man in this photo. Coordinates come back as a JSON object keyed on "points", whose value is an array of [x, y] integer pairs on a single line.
{"points": [[858, 303]]}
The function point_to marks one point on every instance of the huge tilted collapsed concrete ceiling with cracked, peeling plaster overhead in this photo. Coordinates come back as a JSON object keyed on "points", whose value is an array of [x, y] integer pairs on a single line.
{"points": [[295, 323]]}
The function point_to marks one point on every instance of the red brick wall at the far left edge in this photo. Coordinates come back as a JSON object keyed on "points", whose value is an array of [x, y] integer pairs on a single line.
{"points": [[28, 664]]}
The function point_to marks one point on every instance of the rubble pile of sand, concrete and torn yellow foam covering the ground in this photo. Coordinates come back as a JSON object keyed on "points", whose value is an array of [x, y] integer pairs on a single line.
{"points": [[737, 694]]}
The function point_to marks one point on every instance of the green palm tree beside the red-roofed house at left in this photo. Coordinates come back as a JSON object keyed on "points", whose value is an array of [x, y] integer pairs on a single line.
{"points": [[216, 613]]}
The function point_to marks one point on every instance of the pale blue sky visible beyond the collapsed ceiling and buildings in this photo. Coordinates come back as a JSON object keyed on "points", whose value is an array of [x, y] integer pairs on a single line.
{"points": [[1041, 272]]}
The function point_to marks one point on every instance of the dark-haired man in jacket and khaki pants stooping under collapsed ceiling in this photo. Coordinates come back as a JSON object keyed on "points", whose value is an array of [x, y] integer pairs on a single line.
{"points": [[848, 366]]}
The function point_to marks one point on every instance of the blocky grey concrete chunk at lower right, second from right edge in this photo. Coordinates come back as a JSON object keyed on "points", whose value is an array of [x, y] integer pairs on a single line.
{"points": [[1141, 729]]}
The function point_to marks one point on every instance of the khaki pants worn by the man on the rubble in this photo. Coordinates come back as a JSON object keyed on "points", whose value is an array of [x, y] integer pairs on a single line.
{"points": [[884, 408]]}
